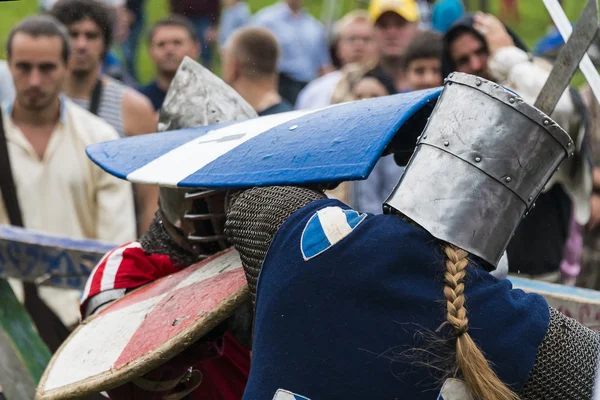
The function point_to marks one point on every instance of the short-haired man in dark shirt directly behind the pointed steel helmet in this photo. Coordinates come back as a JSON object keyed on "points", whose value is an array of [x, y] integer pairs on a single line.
{"points": [[169, 41]]}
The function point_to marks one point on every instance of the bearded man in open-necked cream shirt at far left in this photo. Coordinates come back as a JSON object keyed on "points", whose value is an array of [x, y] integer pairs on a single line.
{"points": [[58, 189]]}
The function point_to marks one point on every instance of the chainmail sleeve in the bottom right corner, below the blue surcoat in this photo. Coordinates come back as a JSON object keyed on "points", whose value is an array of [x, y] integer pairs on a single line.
{"points": [[566, 362]]}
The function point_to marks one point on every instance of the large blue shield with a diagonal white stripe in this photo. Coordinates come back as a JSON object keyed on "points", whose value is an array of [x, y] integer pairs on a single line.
{"points": [[334, 144]]}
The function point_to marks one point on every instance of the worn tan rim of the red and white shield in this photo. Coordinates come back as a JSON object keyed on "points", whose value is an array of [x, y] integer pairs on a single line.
{"points": [[145, 364]]}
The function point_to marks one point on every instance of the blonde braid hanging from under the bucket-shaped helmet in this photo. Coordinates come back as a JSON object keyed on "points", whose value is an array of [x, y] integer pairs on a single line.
{"points": [[479, 377]]}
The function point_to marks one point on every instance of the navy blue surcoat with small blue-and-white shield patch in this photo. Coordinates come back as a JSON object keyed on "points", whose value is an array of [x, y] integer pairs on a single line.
{"points": [[336, 321]]}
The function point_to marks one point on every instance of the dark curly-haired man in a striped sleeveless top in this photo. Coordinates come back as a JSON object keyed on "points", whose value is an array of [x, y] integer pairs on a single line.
{"points": [[90, 25]]}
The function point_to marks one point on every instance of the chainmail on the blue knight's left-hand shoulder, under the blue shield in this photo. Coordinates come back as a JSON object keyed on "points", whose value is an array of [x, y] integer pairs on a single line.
{"points": [[254, 217]]}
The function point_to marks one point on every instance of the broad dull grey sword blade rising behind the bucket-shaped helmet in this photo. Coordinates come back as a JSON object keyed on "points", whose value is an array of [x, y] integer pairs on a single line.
{"points": [[569, 57]]}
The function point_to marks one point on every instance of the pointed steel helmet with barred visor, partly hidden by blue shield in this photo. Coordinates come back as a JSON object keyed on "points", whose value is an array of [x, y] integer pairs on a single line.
{"points": [[195, 218]]}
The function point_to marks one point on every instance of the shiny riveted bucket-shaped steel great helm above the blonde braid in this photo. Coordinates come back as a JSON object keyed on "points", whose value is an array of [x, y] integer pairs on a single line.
{"points": [[479, 165]]}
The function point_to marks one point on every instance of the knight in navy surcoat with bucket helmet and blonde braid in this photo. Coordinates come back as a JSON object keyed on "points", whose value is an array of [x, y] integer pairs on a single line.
{"points": [[403, 305]]}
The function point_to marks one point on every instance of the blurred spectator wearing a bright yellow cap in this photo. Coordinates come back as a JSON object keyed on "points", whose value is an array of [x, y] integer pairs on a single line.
{"points": [[396, 23]]}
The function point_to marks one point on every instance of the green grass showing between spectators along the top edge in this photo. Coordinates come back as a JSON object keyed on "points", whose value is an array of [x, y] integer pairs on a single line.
{"points": [[535, 19]]}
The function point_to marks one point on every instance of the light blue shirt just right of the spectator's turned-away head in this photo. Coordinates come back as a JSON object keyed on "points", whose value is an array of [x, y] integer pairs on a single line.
{"points": [[302, 38]]}
